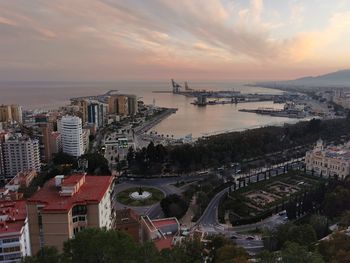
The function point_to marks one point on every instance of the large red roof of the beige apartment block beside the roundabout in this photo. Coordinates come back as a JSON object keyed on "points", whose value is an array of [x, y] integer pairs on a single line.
{"points": [[91, 191]]}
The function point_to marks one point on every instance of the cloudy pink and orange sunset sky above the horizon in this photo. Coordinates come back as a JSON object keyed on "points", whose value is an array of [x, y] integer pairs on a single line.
{"points": [[108, 40]]}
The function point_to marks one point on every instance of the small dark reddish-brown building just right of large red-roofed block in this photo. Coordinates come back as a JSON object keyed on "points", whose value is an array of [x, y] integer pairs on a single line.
{"points": [[128, 221]]}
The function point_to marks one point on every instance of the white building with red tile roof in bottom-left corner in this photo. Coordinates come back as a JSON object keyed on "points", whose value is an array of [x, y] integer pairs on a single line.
{"points": [[14, 232]]}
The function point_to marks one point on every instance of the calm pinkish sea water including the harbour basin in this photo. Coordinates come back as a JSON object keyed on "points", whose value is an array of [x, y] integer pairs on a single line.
{"points": [[188, 120]]}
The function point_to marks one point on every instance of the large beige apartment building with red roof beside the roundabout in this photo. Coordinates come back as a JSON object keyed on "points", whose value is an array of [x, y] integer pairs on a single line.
{"points": [[66, 205]]}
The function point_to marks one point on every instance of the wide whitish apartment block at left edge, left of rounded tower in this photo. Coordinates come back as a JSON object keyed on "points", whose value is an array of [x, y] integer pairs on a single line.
{"points": [[20, 153]]}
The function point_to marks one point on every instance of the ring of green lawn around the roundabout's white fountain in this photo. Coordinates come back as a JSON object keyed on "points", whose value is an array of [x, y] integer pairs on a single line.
{"points": [[124, 196]]}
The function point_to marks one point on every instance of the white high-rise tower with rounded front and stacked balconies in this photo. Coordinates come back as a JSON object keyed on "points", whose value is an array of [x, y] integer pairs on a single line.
{"points": [[71, 131]]}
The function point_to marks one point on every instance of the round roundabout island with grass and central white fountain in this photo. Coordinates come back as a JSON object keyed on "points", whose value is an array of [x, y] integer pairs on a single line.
{"points": [[140, 196]]}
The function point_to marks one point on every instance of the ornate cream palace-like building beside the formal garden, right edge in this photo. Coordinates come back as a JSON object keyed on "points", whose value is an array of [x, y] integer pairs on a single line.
{"points": [[329, 161]]}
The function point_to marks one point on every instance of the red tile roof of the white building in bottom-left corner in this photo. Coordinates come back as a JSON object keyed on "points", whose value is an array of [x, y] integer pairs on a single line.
{"points": [[14, 214]]}
